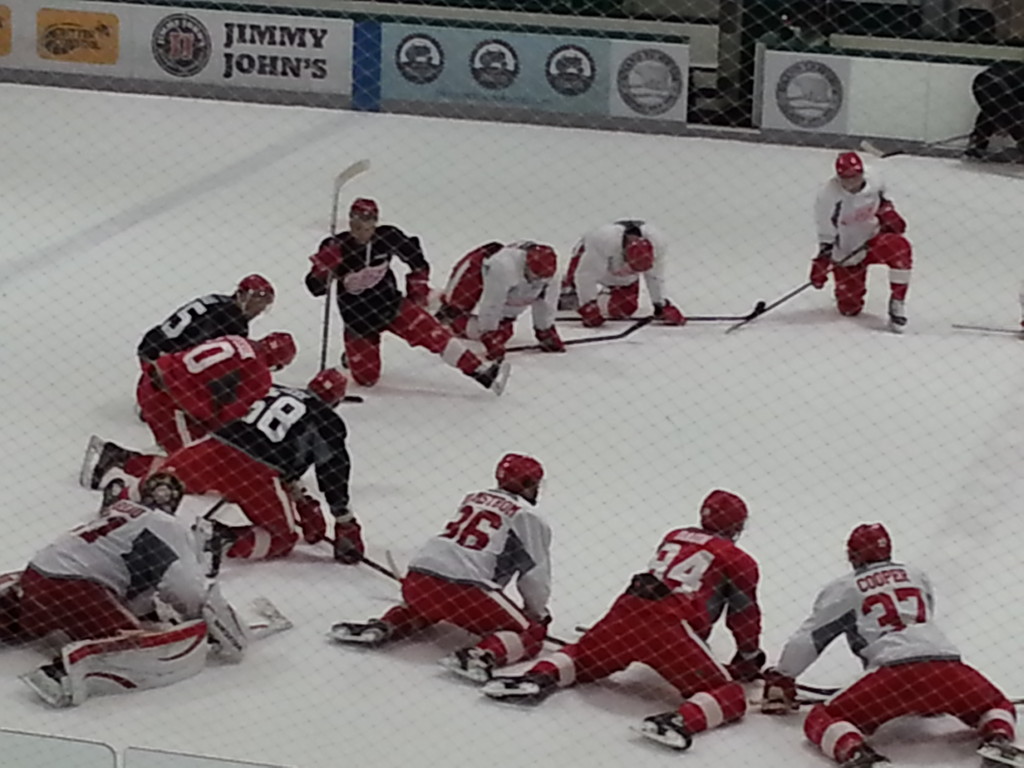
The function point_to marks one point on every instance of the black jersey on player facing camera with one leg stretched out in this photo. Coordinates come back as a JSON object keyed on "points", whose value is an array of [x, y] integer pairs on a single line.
{"points": [[369, 298]]}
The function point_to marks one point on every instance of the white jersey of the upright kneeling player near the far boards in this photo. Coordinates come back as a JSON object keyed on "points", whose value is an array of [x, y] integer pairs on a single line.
{"points": [[847, 221]]}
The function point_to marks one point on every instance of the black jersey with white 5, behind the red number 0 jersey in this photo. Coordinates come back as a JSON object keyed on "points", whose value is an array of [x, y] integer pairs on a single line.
{"points": [[202, 320]]}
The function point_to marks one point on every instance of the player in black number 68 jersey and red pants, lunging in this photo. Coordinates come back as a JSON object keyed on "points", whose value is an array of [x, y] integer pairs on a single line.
{"points": [[258, 463]]}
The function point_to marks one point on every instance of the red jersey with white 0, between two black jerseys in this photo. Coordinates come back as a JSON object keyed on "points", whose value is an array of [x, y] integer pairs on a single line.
{"points": [[216, 382]]}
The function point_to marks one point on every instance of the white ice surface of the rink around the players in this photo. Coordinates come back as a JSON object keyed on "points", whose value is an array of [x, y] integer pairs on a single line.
{"points": [[119, 208]]}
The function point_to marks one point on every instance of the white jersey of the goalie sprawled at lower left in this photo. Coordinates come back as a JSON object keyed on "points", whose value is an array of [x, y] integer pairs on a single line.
{"points": [[135, 551]]}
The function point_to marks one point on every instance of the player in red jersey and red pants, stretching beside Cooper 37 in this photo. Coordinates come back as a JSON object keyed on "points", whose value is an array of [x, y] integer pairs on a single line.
{"points": [[664, 620]]}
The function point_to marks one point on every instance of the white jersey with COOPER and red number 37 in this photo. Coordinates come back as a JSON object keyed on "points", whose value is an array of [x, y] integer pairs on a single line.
{"points": [[886, 612]]}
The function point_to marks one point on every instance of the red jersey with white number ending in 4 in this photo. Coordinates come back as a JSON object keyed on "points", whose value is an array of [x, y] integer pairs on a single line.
{"points": [[707, 576]]}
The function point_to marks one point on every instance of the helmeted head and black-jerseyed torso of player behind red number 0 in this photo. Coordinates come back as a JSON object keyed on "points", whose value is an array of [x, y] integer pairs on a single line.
{"points": [[208, 318]]}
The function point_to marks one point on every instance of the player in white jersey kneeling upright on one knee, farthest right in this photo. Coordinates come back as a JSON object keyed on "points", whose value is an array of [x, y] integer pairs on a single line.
{"points": [[858, 227]]}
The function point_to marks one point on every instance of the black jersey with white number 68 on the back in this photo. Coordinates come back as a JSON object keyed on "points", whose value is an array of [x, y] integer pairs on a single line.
{"points": [[290, 431]]}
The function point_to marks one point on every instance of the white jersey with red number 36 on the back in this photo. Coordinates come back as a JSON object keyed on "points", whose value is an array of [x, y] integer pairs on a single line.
{"points": [[496, 536]]}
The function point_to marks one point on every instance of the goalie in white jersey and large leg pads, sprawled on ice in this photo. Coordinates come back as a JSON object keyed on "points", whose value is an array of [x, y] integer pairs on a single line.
{"points": [[95, 589]]}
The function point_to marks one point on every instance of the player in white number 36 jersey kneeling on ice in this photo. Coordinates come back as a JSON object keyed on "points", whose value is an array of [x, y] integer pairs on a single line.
{"points": [[458, 578]]}
